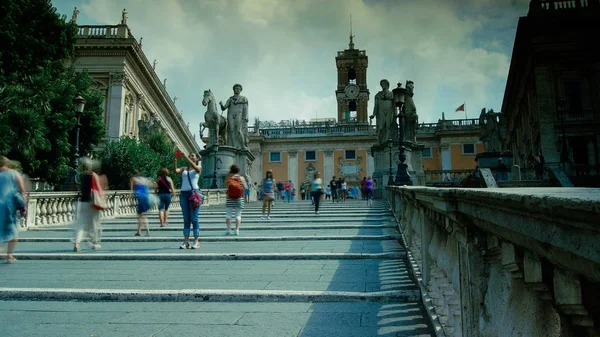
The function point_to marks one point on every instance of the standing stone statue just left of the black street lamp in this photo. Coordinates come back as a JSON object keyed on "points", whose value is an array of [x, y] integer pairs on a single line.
{"points": [[385, 112]]}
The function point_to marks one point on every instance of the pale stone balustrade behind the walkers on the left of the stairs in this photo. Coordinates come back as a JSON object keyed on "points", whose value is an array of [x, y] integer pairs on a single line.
{"points": [[60, 208]]}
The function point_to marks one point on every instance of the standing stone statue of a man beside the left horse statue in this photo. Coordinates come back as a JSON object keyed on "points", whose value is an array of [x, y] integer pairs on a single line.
{"points": [[237, 118]]}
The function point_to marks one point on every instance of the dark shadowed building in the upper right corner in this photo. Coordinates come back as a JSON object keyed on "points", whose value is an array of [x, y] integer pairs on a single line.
{"points": [[552, 96]]}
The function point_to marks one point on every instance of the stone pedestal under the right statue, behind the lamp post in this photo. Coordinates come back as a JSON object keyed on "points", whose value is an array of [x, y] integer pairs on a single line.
{"points": [[381, 154]]}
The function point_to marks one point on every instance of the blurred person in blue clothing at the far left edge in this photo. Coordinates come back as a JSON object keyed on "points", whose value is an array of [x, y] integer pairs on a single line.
{"points": [[12, 192]]}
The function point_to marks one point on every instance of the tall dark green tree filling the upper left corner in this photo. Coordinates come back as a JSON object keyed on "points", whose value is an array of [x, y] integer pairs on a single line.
{"points": [[36, 90]]}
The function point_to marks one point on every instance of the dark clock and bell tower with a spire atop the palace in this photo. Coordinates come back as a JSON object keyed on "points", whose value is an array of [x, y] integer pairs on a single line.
{"points": [[352, 94]]}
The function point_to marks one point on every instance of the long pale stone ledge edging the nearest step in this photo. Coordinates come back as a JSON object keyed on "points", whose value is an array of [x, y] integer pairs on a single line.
{"points": [[411, 294]]}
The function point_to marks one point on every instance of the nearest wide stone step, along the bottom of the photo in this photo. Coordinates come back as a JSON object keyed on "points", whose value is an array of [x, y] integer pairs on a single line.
{"points": [[210, 319]]}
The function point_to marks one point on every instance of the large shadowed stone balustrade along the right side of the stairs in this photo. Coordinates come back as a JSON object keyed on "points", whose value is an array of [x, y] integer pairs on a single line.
{"points": [[519, 262]]}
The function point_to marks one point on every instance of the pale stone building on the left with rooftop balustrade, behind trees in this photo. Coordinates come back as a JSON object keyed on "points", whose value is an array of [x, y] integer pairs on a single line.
{"points": [[136, 101]]}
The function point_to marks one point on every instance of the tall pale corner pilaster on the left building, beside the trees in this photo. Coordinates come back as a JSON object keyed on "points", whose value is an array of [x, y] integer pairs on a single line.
{"points": [[115, 105]]}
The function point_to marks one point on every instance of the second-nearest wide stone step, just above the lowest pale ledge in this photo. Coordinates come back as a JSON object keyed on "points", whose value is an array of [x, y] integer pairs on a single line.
{"points": [[351, 275]]}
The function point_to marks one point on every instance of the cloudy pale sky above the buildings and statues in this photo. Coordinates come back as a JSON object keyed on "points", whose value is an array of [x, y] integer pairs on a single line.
{"points": [[283, 51]]}
